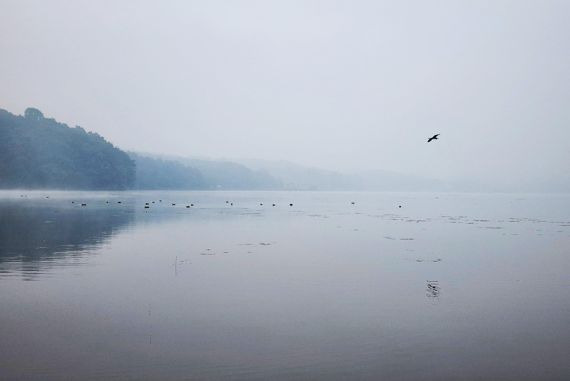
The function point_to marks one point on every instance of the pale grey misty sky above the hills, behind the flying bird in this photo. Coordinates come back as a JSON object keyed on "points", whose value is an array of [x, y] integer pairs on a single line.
{"points": [[342, 85]]}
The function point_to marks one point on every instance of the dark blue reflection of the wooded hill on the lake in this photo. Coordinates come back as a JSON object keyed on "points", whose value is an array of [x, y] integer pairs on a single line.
{"points": [[34, 237]]}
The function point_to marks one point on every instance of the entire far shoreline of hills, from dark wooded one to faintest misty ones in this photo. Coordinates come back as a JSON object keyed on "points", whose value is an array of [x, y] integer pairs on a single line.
{"points": [[41, 153]]}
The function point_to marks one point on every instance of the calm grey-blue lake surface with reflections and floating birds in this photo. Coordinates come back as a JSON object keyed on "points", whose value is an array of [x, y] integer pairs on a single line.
{"points": [[447, 287]]}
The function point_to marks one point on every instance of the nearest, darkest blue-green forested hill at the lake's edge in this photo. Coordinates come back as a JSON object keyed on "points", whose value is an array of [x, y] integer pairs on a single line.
{"points": [[37, 152]]}
